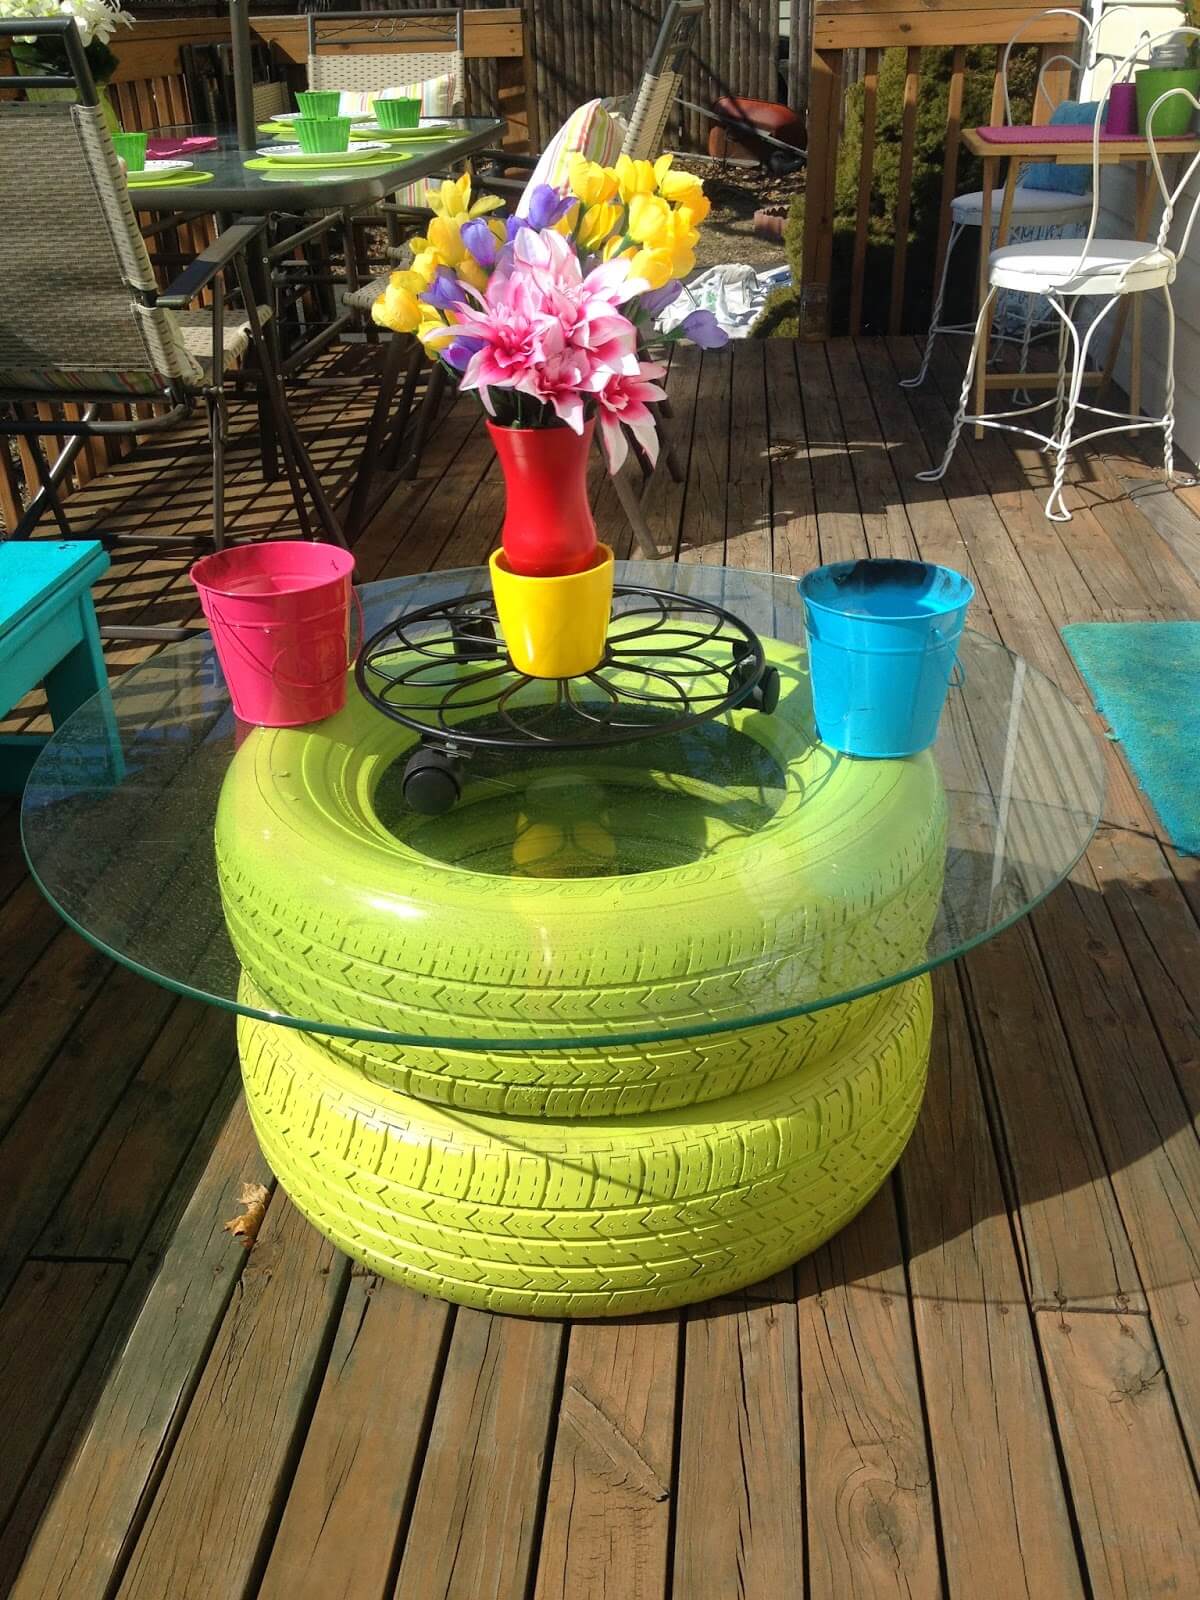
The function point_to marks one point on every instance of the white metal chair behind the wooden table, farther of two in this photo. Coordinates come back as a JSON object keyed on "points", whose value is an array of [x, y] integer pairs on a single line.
{"points": [[1039, 212]]}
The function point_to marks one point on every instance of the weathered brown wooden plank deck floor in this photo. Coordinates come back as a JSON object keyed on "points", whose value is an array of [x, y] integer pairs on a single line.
{"points": [[988, 1386]]}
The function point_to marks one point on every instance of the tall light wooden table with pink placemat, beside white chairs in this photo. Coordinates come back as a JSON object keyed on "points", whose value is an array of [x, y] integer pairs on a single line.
{"points": [[1041, 146]]}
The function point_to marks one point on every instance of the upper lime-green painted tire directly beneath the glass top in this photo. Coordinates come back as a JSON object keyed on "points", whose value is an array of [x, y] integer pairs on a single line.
{"points": [[335, 916]]}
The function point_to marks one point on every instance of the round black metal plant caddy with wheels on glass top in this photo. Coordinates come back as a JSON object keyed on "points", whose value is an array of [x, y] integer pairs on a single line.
{"points": [[481, 700]]}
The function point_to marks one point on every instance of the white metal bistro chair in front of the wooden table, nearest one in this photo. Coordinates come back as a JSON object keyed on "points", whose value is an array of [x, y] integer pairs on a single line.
{"points": [[1068, 271]]}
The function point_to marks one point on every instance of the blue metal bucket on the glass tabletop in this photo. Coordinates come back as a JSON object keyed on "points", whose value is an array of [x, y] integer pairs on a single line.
{"points": [[882, 647]]}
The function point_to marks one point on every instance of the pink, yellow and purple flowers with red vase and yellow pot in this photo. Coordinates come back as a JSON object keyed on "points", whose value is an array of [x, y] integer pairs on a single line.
{"points": [[546, 316]]}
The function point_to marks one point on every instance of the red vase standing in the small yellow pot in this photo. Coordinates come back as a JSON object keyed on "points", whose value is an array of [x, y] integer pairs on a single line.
{"points": [[548, 521]]}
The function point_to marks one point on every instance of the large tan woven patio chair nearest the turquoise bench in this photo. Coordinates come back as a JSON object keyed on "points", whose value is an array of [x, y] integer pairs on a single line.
{"points": [[86, 322]]}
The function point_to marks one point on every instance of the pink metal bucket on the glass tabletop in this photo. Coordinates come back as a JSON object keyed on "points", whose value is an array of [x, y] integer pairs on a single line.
{"points": [[281, 622]]}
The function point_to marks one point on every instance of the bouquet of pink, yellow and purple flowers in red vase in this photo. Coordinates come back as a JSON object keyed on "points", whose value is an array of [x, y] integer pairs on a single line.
{"points": [[546, 314]]}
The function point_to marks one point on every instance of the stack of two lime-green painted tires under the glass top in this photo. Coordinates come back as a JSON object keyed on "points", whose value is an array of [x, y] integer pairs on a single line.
{"points": [[615, 1140]]}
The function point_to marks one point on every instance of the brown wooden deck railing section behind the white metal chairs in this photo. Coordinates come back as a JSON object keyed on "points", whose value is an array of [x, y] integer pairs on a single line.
{"points": [[873, 26]]}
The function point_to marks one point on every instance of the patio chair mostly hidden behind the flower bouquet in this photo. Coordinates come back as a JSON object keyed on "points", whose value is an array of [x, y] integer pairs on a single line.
{"points": [[646, 129]]}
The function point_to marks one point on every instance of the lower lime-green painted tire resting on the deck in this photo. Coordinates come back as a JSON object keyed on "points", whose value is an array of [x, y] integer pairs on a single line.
{"points": [[588, 1218]]}
